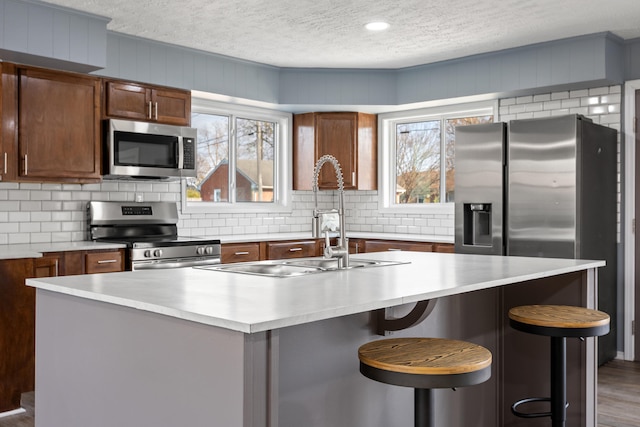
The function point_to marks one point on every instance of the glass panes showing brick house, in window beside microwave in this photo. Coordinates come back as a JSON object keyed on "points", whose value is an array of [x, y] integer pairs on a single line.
{"points": [[235, 159]]}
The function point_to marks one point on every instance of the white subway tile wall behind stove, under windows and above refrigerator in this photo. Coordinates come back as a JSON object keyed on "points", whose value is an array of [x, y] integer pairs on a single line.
{"points": [[32, 213]]}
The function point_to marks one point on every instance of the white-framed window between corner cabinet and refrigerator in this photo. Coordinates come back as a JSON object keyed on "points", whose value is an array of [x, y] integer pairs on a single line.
{"points": [[418, 152]]}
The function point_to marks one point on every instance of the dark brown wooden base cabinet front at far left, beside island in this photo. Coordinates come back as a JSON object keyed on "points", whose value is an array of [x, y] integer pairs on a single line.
{"points": [[17, 332]]}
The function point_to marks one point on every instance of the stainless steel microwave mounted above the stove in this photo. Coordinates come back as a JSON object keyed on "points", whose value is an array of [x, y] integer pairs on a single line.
{"points": [[148, 150]]}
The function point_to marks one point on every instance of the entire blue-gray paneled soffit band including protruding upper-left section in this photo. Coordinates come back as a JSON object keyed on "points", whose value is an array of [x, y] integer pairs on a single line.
{"points": [[42, 34]]}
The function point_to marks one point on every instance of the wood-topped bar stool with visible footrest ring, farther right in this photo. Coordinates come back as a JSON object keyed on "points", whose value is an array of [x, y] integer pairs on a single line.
{"points": [[558, 322]]}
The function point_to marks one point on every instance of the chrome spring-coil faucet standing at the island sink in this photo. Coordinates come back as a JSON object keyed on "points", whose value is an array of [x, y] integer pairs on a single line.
{"points": [[324, 221]]}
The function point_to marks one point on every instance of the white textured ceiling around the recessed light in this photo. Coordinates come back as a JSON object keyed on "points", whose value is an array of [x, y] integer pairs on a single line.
{"points": [[331, 34]]}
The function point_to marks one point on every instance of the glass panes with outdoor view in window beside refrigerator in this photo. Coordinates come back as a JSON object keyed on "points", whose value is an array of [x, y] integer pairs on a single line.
{"points": [[425, 159]]}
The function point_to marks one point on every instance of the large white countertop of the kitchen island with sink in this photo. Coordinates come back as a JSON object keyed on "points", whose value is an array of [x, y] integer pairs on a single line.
{"points": [[247, 303]]}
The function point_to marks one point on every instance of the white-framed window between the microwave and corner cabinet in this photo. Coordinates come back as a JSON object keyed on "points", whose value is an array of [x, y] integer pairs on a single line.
{"points": [[241, 160]]}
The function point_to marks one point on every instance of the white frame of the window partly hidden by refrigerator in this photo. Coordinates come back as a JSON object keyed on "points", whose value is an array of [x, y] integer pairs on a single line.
{"points": [[387, 123]]}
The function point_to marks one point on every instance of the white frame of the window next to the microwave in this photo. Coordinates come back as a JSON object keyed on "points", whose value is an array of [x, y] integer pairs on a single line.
{"points": [[282, 178]]}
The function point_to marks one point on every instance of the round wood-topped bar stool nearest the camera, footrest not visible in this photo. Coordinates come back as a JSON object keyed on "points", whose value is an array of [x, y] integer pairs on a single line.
{"points": [[425, 364]]}
